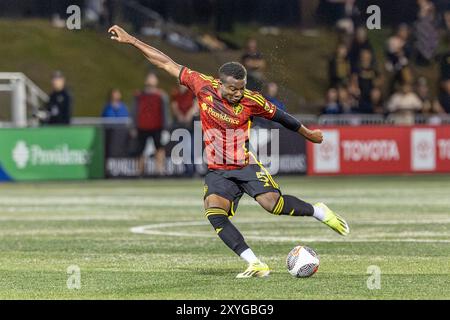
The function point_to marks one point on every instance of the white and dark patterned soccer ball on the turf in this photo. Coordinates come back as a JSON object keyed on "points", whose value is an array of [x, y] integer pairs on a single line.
{"points": [[302, 262]]}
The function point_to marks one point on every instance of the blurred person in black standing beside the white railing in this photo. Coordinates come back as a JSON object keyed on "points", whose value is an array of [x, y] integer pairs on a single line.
{"points": [[59, 106]]}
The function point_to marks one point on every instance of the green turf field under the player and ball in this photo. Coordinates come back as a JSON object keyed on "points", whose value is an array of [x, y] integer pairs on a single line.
{"points": [[400, 224]]}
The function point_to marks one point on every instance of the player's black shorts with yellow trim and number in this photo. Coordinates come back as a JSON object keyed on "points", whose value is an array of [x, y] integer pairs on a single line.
{"points": [[252, 179]]}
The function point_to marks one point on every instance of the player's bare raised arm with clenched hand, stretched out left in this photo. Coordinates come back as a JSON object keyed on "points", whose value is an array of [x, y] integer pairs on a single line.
{"points": [[153, 55]]}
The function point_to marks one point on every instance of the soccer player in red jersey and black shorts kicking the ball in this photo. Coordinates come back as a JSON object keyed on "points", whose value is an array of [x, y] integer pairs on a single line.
{"points": [[226, 107]]}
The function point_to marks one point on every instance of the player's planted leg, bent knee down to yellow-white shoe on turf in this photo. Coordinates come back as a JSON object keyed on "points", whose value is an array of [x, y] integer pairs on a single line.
{"points": [[216, 210]]}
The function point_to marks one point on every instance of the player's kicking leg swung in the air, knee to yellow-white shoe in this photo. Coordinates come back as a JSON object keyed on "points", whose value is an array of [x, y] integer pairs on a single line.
{"points": [[279, 204]]}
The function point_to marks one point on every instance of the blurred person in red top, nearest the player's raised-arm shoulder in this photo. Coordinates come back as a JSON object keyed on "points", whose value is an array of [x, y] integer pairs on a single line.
{"points": [[183, 107]]}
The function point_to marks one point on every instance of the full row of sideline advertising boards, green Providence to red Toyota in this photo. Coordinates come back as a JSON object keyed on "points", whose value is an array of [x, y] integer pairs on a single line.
{"points": [[92, 152]]}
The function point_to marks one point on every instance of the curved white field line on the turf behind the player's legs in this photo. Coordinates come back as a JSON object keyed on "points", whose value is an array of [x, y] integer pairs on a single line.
{"points": [[157, 229]]}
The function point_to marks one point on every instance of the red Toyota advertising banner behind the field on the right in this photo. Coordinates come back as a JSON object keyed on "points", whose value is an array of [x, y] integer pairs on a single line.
{"points": [[380, 150]]}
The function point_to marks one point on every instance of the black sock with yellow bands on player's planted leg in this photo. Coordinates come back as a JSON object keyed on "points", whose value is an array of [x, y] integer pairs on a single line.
{"points": [[226, 230]]}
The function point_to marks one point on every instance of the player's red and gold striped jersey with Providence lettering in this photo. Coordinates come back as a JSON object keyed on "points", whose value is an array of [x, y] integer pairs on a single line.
{"points": [[225, 127]]}
